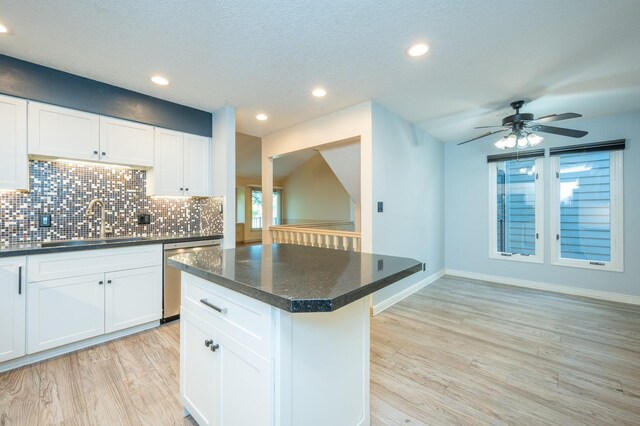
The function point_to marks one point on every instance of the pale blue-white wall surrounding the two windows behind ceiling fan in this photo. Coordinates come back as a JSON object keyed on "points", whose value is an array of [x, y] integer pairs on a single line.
{"points": [[466, 211]]}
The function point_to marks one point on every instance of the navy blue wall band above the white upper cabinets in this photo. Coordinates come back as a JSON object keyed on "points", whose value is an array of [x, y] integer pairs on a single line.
{"points": [[36, 82]]}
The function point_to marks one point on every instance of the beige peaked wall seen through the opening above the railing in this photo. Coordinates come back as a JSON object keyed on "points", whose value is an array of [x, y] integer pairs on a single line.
{"points": [[313, 193]]}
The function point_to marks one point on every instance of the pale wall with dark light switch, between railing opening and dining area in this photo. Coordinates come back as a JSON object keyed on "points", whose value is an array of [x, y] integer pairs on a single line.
{"points": [[408, 179]]}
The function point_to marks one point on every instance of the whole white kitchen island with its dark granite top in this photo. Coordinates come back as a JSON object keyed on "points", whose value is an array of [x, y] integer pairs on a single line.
{"points": [[279, 334]]}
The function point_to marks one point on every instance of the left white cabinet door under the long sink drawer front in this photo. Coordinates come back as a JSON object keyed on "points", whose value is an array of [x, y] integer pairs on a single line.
{"points": [[64, 311]]}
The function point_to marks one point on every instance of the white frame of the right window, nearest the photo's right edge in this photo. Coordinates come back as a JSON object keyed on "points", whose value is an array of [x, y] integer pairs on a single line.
{"points": [[616, 264]]}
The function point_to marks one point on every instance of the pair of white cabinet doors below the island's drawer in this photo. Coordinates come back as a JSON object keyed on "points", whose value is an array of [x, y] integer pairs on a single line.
{"points": [[230, 385]]}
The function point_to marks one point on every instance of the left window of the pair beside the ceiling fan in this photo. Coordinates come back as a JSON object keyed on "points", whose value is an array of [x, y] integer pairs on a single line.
{"points": [[515, 207]]}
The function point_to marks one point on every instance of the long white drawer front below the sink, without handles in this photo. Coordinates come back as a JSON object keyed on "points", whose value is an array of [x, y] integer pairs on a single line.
{"points": [[53, 266]]}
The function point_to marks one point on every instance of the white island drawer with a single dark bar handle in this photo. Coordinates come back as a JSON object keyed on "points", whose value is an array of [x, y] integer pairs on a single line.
{"points": [[247, 320]]}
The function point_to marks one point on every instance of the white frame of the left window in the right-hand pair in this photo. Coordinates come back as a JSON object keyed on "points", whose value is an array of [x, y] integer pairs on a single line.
{"points": [[539, 221]]}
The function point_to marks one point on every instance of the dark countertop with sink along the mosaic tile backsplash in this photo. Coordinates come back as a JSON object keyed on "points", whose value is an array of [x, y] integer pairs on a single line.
{"points": [[26, 249]]}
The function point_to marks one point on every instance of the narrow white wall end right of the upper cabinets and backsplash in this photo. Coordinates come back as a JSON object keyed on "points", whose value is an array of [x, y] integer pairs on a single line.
{"points": [[224, 169]]}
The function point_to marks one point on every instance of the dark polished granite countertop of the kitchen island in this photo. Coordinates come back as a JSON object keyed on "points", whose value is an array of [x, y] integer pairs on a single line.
{"points": [[297, 278]]}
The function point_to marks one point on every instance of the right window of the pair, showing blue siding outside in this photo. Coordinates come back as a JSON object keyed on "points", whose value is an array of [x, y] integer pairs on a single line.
{"points": [[586, 206]]}
